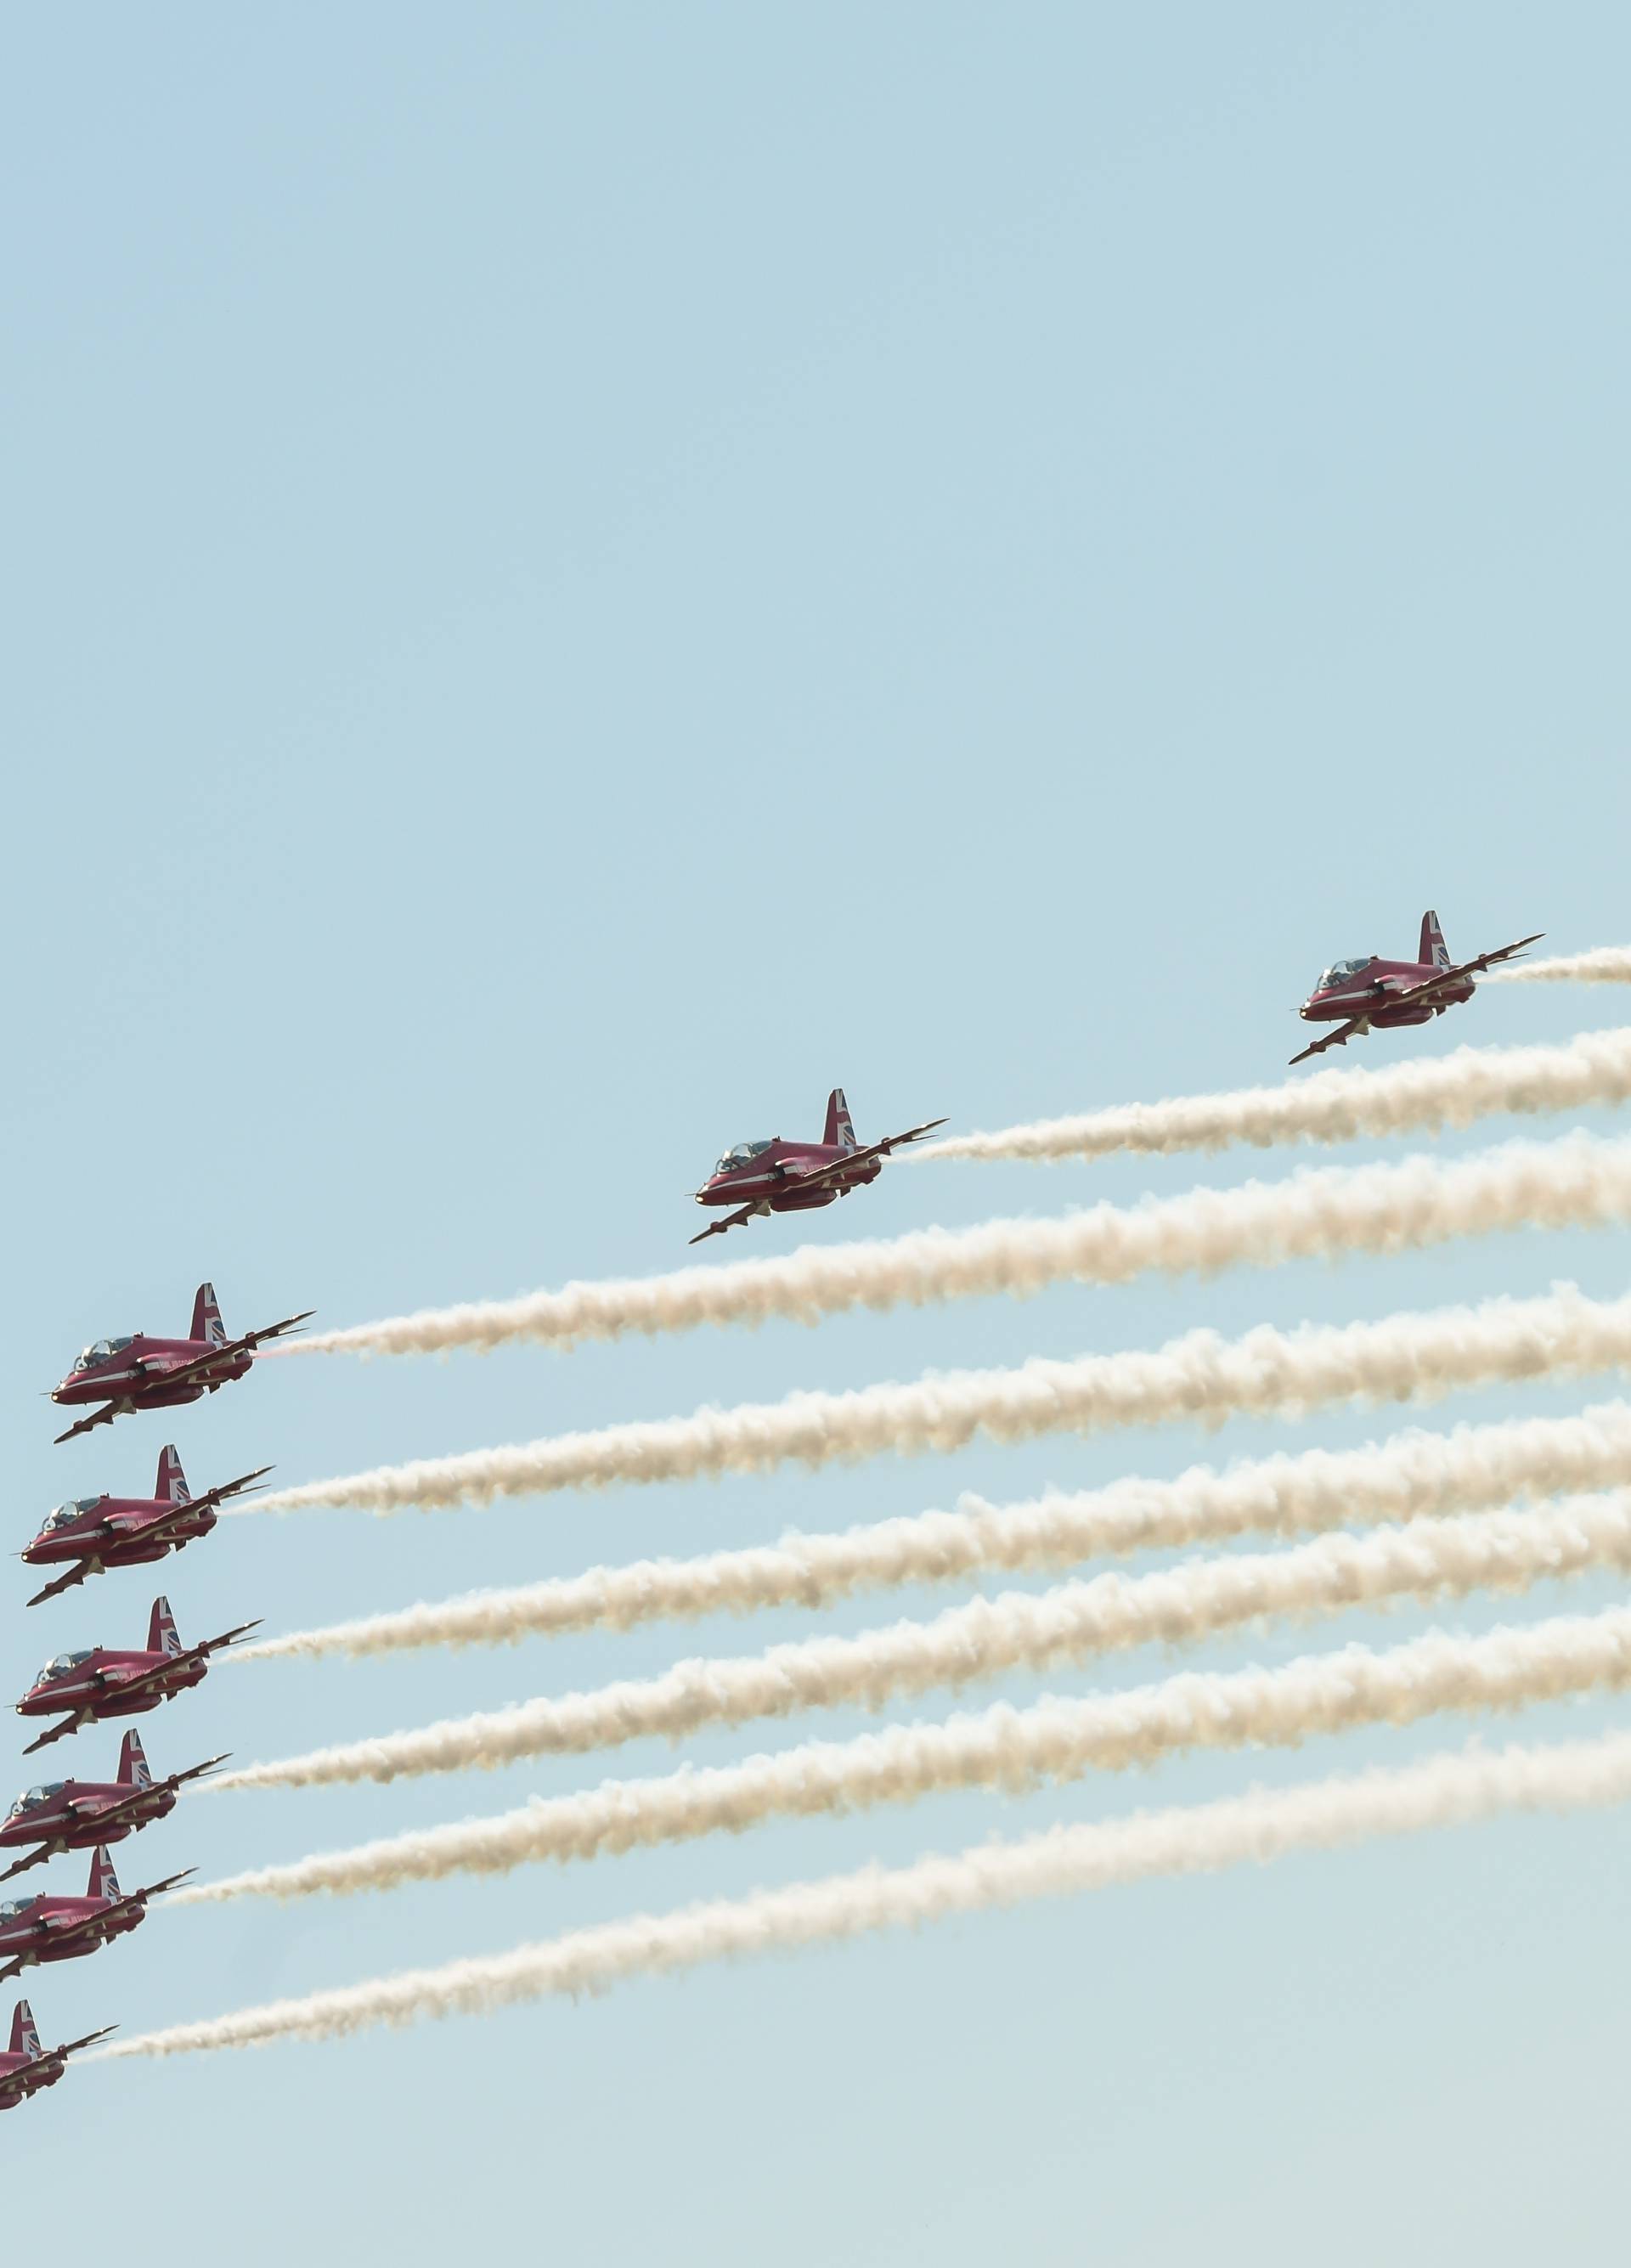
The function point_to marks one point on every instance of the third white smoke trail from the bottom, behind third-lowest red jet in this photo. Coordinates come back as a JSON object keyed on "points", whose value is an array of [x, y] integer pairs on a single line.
{"points": [[990, 1636]]}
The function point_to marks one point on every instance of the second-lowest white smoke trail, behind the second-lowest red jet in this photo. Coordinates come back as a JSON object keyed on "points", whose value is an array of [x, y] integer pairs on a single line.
{"points": [[1002, 1747]]}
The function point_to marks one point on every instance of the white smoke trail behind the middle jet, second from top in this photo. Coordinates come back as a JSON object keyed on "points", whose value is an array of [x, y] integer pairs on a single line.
{"points": [[1330, 1106]]}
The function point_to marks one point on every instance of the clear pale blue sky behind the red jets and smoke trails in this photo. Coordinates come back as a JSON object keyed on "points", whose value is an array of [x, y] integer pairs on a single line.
{"points": [[575, 577]]}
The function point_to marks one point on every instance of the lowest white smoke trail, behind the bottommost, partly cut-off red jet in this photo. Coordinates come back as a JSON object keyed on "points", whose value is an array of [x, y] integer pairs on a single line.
{"points": [[1265, 1825]]}
